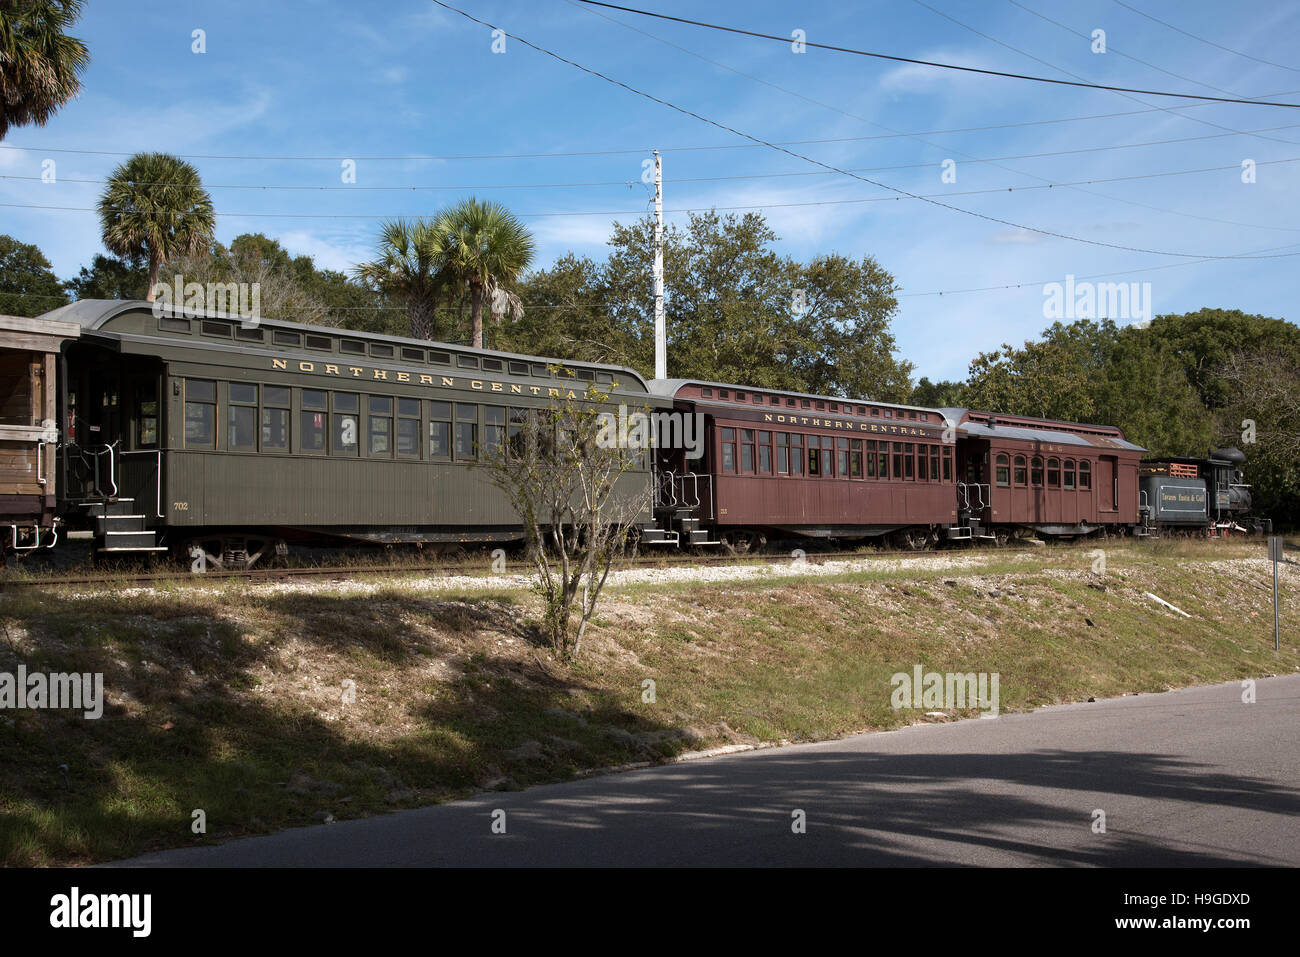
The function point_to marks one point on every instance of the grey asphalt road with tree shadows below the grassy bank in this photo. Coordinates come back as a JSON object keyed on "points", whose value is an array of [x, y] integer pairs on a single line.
{"points": [[1191, 778]]}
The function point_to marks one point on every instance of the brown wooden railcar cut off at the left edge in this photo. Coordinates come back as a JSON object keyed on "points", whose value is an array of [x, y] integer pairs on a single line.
{"points": [[29, 434]]}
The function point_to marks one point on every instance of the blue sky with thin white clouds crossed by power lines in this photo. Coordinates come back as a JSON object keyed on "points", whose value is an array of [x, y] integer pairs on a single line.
{"points": [[294, 89]]}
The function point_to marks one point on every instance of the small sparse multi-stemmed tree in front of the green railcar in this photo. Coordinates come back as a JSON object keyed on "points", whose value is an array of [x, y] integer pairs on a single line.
{"points": [[561, 469]]}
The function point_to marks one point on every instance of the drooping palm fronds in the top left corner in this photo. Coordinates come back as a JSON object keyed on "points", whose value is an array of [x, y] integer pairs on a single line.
{"points": [[40, 67]]}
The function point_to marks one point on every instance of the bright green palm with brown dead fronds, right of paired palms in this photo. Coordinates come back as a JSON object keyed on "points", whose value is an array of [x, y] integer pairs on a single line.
{"points": [[487, 249]]}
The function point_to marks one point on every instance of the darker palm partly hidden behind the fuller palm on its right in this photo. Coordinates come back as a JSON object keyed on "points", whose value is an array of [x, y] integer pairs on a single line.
{"points": [[409, 267]]}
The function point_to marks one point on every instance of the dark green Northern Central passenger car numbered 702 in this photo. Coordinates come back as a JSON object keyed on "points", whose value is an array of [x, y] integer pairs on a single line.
{"points": [[237, 438]]}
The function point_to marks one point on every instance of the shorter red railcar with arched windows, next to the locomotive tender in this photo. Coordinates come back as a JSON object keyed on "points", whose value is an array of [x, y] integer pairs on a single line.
{"points": [[1058, 479]]}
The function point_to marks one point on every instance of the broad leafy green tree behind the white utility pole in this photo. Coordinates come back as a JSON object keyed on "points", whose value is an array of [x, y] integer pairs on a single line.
{"points": [[735, 311]]}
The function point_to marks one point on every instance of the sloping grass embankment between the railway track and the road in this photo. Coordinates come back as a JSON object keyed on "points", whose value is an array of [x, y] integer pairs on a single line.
{"points": [[231, 699]]}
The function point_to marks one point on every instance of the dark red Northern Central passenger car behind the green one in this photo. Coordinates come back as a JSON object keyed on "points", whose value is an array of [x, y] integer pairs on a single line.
{"points": [[805, 466]]}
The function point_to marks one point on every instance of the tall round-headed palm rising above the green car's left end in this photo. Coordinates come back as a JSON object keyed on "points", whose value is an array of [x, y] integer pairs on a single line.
{"points": [[155, 207]]}
